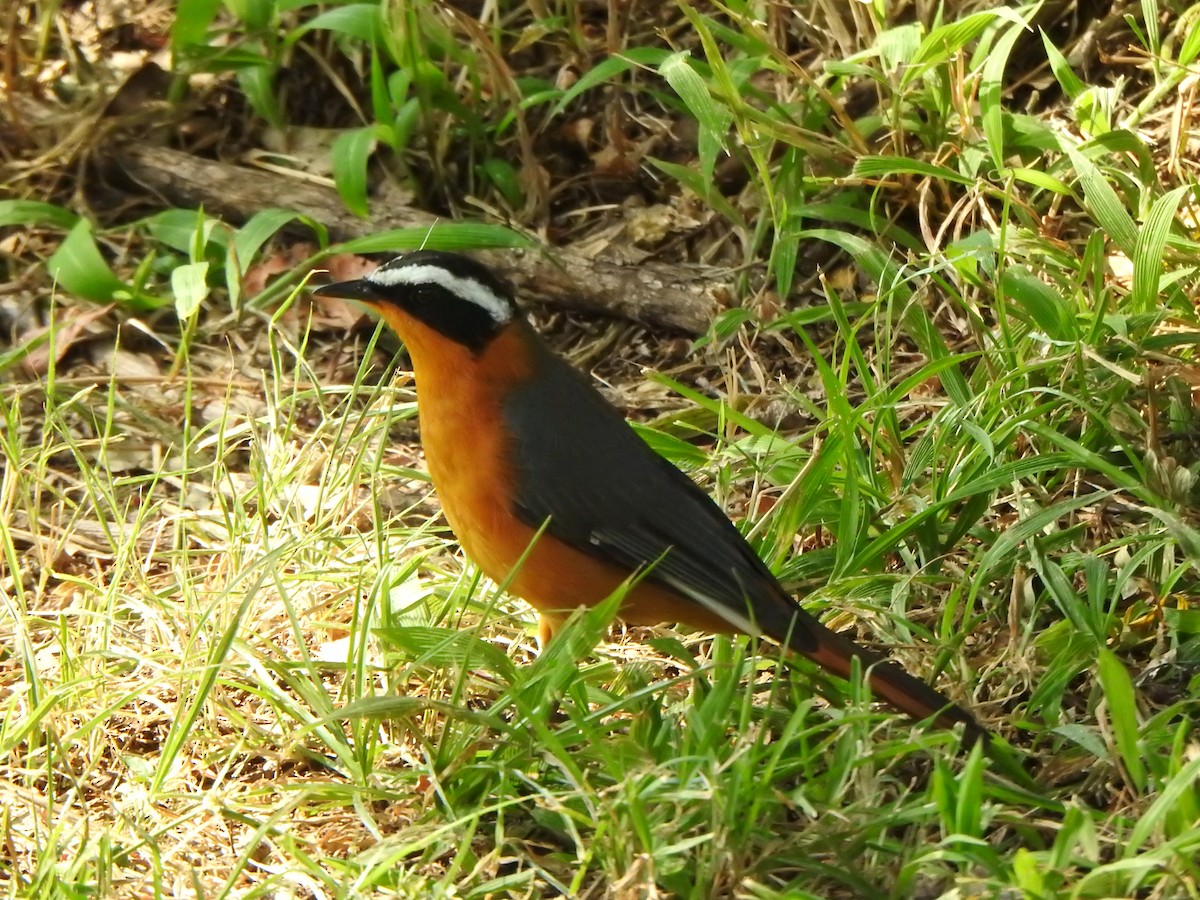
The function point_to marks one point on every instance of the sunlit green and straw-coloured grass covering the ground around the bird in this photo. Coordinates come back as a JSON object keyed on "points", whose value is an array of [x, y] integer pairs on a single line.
{"points": [[241, 655]]}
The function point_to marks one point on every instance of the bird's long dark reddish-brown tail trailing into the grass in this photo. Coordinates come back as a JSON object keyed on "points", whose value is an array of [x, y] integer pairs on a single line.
{"points": [[908, 694]]}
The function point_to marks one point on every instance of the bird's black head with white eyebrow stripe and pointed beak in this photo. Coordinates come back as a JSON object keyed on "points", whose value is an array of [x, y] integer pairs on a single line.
{"points": [[453, 295]]}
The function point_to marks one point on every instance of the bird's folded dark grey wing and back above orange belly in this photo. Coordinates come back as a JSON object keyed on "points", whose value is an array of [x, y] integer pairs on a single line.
{"points": [[608, 494]]}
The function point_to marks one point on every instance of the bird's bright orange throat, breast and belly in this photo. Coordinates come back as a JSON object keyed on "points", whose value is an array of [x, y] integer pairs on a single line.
{"points": [[466, 441]]}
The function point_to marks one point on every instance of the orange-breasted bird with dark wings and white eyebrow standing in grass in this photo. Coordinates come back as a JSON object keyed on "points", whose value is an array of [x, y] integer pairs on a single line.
{"points": [[533, 466]]}
